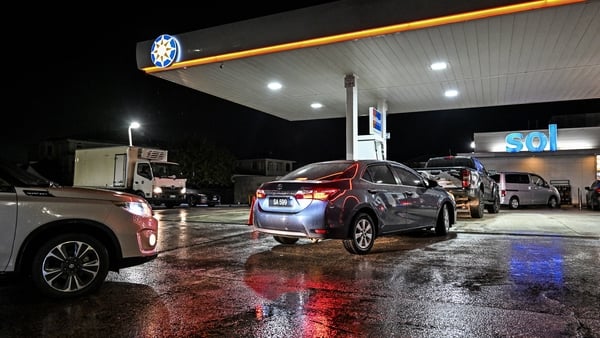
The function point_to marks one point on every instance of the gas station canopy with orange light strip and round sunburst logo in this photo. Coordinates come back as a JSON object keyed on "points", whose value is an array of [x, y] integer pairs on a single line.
{"points": [[496, 53]]}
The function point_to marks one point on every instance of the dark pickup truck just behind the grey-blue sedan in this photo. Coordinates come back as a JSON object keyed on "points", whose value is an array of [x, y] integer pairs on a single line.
{"points": [[467, 179]]}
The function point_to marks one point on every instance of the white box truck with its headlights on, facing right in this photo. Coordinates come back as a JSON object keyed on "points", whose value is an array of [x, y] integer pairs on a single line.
{"points": [[141, 171]]}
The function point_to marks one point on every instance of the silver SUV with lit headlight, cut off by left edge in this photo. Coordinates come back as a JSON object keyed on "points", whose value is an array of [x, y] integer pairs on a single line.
{"points": [[65, 239]]}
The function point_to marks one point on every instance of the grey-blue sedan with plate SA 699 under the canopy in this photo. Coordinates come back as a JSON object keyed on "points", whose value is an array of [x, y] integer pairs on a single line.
{"points": [[355, 201]]}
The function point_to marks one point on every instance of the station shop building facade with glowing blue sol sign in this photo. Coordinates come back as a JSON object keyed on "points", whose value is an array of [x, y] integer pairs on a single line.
{"points": [[569, 158]]}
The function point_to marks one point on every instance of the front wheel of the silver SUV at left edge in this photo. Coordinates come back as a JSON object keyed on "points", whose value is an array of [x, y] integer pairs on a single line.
{"points": [[69, 265]]}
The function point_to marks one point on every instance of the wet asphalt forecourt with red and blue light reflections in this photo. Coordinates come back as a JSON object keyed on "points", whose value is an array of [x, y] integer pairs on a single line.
{"points": [[518, 273]]}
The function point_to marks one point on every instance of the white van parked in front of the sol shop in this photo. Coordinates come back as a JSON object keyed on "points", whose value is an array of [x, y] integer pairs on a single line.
{"points": [[524, 188]]}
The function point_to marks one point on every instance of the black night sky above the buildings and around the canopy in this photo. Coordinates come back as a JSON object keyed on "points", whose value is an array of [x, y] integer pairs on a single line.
{"points": [[75, 76]]}
